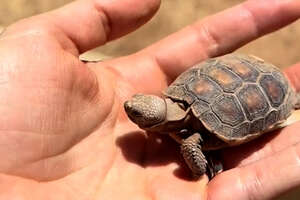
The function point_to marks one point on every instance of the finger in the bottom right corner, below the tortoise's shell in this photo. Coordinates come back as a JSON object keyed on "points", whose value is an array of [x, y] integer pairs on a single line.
{"points": [[264, 179]]}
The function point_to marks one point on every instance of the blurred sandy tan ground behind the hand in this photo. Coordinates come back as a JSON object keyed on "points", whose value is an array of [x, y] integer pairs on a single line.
{"points": [[280, 48]]}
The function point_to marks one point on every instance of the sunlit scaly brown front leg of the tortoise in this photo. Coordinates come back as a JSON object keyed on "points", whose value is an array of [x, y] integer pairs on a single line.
{"points": [[193, 156]]}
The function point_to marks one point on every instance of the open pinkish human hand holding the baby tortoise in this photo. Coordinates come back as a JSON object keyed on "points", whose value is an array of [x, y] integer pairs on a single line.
{"points": [[63, 131]]}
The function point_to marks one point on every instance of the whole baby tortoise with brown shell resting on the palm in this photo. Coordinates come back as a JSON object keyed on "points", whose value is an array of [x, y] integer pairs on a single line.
{"points": [[224, 101]]}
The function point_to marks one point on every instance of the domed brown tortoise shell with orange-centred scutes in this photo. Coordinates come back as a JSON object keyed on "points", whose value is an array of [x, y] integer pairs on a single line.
{"points": [[236, 97]]}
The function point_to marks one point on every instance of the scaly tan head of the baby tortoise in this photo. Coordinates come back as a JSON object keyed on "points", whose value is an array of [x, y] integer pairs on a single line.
{"points": [[146, 110]]}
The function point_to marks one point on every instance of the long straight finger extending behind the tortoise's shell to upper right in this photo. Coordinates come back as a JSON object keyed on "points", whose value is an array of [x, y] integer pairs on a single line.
{"points": [[221, 33]]}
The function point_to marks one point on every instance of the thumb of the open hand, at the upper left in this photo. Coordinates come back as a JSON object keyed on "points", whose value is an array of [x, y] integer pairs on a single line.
{"points": [[90, 23]]}
